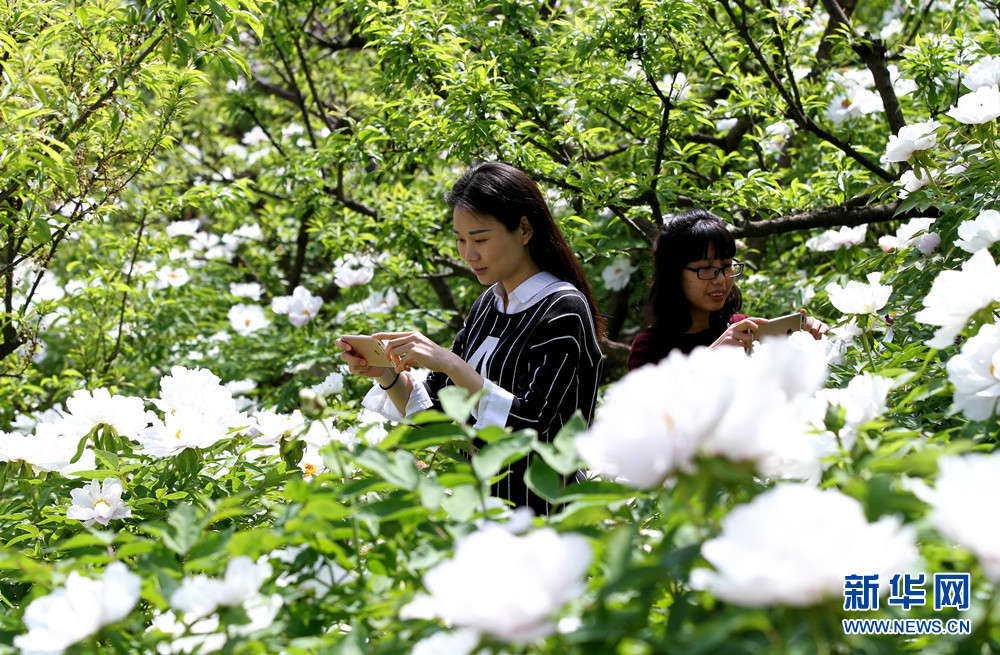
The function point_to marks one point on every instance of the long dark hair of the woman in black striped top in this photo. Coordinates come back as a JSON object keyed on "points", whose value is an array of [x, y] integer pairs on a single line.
{"points": [[508, 194]]}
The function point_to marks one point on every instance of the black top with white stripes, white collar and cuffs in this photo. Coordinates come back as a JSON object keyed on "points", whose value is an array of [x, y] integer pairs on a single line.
{"points": [[542, 363]]}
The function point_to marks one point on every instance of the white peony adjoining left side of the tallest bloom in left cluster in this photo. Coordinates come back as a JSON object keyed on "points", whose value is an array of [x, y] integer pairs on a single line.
{"points": [[85, 410]]}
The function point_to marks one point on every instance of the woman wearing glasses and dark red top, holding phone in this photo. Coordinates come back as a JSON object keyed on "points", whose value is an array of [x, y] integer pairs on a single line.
{"points": [[693, 300]]}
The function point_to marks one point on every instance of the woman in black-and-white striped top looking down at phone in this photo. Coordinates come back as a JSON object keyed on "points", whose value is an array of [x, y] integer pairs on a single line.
{"points": [[529, 342]]}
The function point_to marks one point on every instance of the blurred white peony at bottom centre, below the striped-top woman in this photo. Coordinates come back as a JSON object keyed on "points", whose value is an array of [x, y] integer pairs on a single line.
{"points": [[527, 579]]}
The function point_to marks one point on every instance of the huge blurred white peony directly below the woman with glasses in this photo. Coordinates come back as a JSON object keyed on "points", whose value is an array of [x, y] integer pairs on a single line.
{"points": [[657, 419]]}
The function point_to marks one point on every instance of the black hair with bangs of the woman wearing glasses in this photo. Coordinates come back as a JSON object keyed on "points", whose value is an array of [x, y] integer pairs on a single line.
{"points": [[687, 238]]}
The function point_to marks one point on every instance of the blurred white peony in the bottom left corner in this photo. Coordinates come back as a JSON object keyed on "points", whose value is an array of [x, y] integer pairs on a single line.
{"points": [[79, 609]]}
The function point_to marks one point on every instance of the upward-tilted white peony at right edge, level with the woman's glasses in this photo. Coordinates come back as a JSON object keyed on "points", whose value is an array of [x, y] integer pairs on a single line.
{"points": [[956, 295]]}
